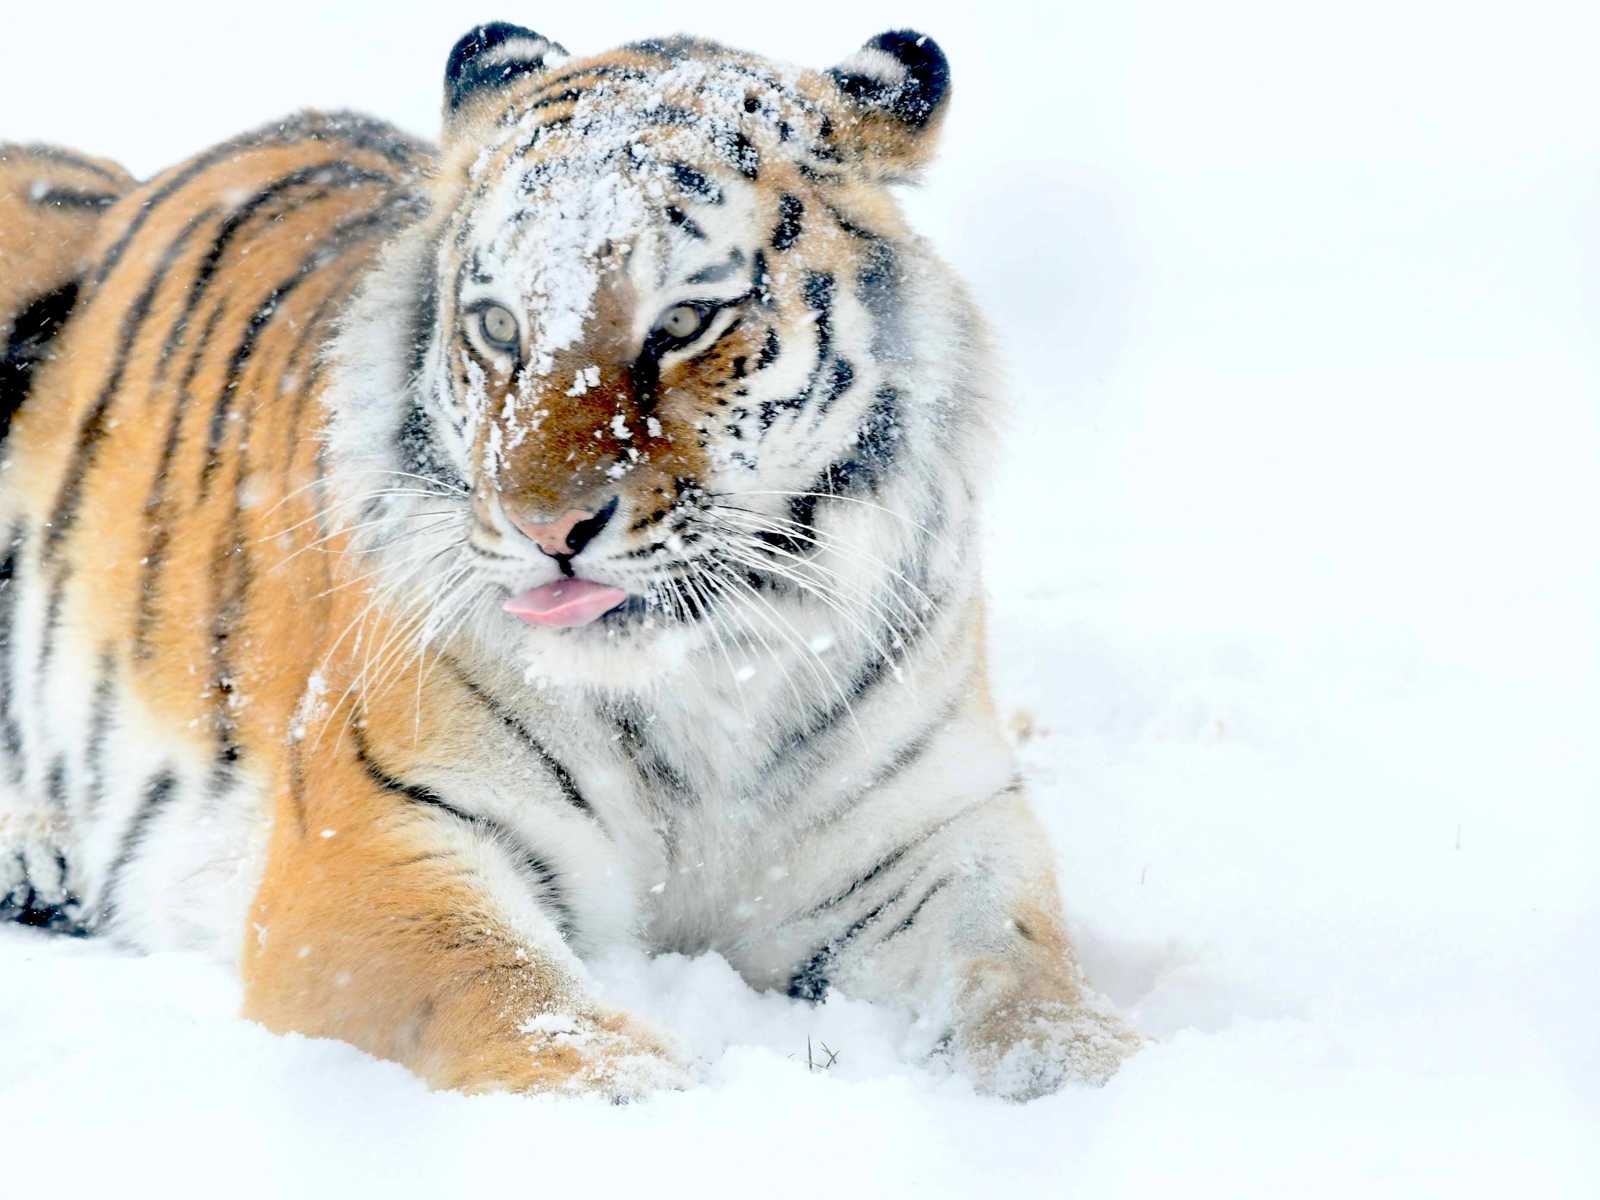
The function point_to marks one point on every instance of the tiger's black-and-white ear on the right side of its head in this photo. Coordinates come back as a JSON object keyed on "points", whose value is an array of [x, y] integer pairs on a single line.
{"points": [[895, 92]]}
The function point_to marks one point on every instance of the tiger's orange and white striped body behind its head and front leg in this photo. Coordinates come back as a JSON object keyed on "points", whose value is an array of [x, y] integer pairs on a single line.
{"points": [[162, 462]]}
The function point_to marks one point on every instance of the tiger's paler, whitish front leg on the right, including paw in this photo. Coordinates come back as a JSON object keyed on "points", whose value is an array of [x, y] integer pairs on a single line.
{"points": [[964, 927]]}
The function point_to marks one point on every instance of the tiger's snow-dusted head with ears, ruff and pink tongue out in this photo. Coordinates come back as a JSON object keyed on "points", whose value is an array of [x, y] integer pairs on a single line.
{"points": [[665, 367]]}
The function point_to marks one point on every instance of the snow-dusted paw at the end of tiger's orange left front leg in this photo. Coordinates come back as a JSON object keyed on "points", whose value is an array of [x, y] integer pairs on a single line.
{"points": [[606, 1055]]}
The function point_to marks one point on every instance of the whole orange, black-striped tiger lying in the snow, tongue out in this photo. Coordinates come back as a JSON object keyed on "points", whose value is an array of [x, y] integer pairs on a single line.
{"points": [[428, 569]]}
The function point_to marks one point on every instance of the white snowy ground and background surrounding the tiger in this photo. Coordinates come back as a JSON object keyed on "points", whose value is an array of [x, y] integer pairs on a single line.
{"points": [[1295, 583]]}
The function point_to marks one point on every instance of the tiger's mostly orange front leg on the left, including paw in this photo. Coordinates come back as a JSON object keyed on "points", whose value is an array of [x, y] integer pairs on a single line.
{"points": [[399, 927]]}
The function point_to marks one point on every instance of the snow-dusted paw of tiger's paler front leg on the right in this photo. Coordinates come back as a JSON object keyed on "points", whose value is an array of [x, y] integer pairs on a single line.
{"points": [[1033, 1050]]}
